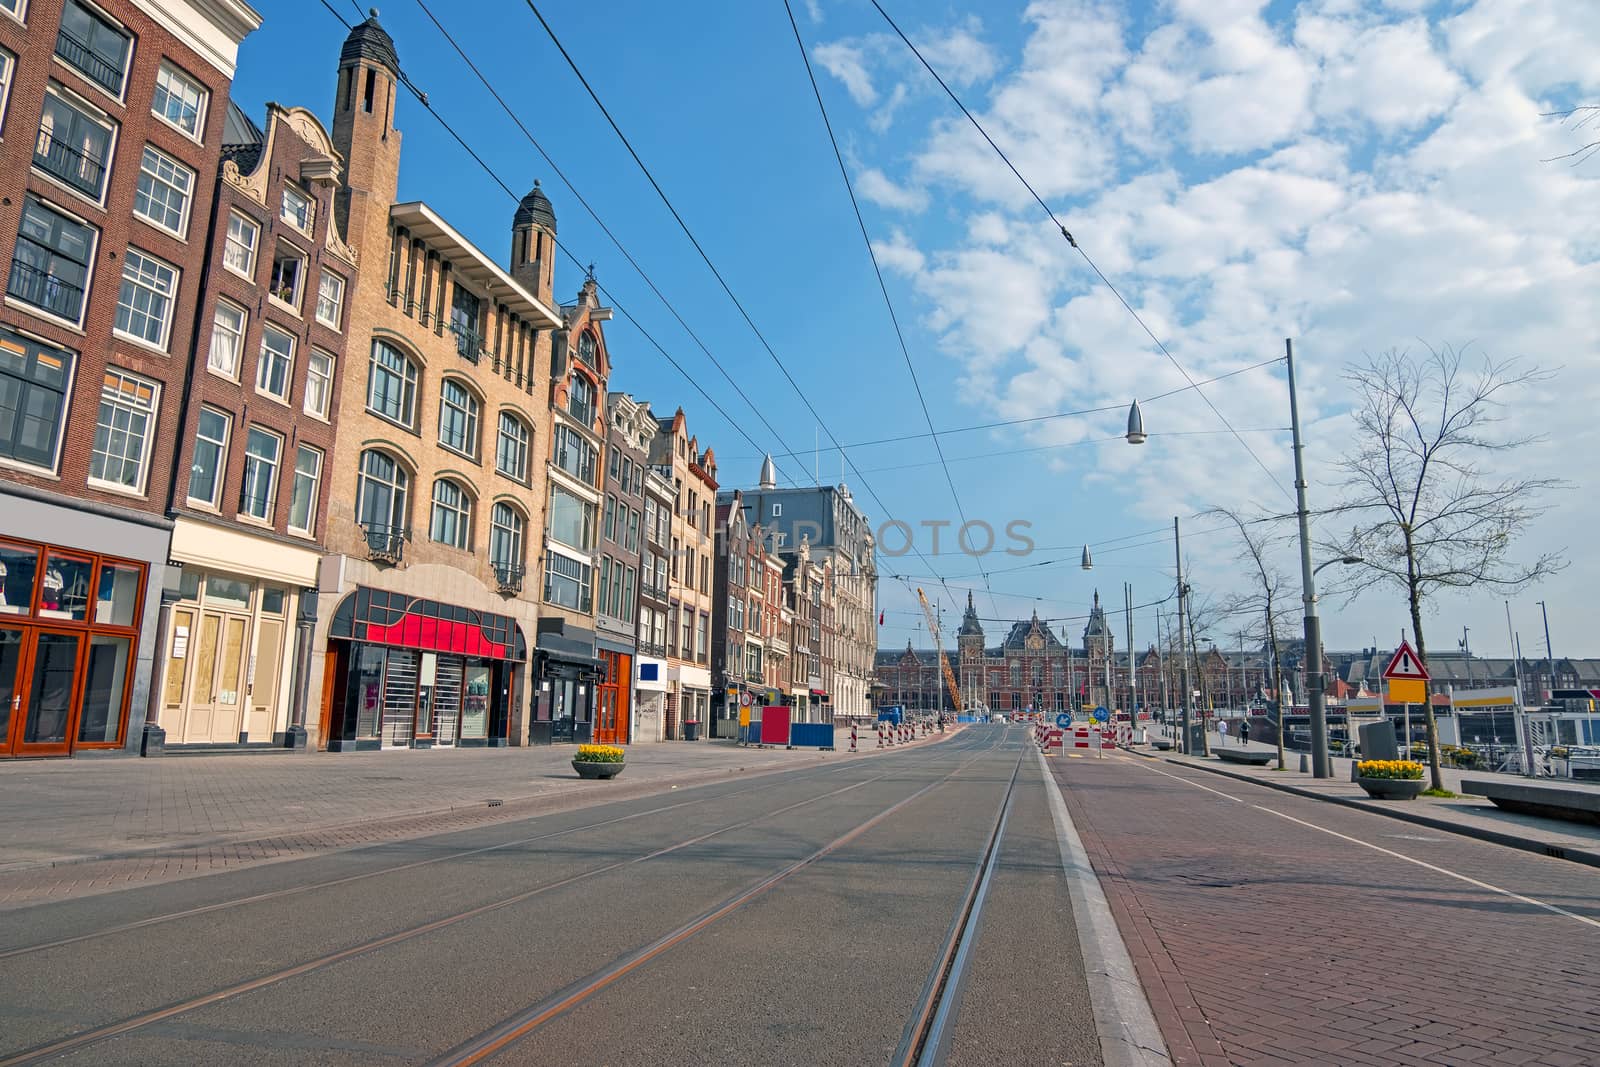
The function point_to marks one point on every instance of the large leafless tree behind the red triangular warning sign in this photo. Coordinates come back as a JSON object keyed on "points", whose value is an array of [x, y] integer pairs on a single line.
{"points": [[1428, 518]]}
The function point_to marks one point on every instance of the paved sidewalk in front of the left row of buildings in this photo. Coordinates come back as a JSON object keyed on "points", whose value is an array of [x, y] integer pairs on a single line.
{"points": [[71, 828]]}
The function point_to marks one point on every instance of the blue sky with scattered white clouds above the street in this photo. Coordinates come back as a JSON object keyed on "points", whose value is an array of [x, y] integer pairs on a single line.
{"points": [[1356, 174]]}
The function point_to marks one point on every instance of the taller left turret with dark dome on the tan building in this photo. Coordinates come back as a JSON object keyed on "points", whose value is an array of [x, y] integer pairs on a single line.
{"points": [[364, 132]]}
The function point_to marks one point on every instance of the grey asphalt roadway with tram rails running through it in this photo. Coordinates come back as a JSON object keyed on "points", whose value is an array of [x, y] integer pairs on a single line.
{"points": [[791, 921]]}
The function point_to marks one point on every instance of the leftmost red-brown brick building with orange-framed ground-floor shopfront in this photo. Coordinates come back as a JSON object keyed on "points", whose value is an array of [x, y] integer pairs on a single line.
{"points": [[116, 116]]}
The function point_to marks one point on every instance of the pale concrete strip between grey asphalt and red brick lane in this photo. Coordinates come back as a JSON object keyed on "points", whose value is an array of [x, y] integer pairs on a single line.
{"points": [[1124, 1021]]}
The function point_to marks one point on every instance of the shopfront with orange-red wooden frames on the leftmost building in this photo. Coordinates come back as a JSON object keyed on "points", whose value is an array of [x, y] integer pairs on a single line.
{"points": [[70, 639]]}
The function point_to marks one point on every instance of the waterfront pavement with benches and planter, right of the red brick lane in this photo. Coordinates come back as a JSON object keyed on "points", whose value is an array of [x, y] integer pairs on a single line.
{"points": [[1473, 817]]}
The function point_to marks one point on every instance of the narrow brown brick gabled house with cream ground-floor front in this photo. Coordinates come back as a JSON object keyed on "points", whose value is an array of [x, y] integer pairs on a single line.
{"points": [[250, 500]]}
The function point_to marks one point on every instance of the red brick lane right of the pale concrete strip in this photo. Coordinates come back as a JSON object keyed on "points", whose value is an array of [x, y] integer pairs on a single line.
{"points": [[1266, 941]]}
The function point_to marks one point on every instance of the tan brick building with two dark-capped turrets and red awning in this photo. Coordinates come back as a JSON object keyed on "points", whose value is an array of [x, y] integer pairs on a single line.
{"points": [[438, 474]]}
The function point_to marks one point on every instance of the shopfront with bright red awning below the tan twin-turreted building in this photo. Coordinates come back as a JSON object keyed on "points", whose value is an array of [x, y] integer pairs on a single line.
{"points": [[404, 673]]}
